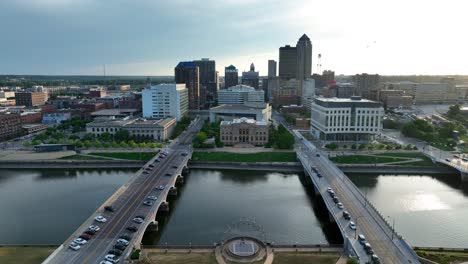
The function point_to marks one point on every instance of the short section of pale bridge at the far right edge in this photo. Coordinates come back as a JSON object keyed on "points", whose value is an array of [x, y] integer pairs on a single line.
{"points": [[448, 159]]}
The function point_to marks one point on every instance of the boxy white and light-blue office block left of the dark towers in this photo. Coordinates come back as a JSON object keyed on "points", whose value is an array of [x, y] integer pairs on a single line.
{"points": [[165, 100]]}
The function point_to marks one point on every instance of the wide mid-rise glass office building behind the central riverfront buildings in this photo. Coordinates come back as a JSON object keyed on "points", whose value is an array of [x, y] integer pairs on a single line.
{"points": [[240, 94]]}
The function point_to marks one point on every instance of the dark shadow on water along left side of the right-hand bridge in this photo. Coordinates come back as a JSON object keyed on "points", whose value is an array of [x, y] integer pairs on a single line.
{"points": [[330, 229]]}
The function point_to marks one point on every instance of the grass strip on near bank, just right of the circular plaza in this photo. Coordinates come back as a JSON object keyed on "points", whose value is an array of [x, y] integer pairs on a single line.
{"points": [[305, 258]]}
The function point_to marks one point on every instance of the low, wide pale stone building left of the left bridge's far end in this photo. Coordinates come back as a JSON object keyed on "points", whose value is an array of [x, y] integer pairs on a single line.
{"points": [[159, 130]]}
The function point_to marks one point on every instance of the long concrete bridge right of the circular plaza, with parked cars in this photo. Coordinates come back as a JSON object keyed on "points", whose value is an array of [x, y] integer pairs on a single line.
{"points": [[389, 246]]}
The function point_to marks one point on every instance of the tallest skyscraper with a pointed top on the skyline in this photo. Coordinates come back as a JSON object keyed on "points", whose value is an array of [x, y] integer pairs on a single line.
{"points": [[304, 58]]}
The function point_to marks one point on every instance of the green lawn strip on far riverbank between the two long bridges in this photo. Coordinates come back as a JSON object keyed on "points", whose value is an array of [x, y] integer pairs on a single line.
{"points": [[250, 157]]}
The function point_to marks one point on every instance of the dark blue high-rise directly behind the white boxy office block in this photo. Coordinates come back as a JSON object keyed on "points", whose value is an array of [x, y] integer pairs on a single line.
{"points": [[187, 72]]}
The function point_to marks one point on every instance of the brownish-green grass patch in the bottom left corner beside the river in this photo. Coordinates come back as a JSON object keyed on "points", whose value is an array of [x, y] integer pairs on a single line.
{"points": [[24, 255]]}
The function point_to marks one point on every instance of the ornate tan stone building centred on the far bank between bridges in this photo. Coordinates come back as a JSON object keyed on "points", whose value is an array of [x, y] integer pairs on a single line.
{"points": [[244, 131]]}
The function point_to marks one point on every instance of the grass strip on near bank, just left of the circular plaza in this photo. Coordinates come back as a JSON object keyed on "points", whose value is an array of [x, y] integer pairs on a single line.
{"points": [[182, 258]]}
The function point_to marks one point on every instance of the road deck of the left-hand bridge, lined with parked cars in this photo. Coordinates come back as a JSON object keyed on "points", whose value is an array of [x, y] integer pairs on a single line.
{"points": [[128, 202]]}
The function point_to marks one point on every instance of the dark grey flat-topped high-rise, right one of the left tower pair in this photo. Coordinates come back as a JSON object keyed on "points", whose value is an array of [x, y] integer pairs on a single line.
{"points": [[208, 81]]}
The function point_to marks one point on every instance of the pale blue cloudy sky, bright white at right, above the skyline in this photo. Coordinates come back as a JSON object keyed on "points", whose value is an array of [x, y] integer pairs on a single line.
{"points": [[149, 37]]}
